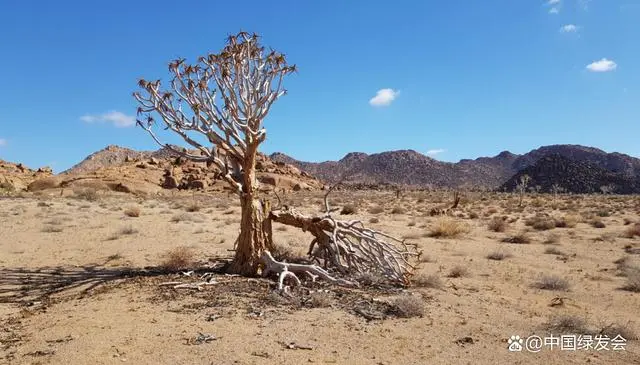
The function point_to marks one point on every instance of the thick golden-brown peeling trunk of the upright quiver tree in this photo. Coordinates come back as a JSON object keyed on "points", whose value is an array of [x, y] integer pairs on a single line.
{"points": [[255, 225]]}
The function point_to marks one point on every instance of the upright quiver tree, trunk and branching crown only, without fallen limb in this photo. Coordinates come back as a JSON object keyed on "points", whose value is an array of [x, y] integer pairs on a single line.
{"points": [[227, 96]]}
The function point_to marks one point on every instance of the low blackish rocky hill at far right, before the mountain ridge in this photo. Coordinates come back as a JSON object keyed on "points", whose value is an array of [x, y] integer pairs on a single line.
{"points": [[573, 175]]}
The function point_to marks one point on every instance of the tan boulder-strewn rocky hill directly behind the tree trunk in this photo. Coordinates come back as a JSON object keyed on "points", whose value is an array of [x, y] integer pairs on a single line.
{"points": [[126, 170]]}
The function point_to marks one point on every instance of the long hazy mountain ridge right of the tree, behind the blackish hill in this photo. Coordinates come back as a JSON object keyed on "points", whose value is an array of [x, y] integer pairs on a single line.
{"points": [[411, 168]]}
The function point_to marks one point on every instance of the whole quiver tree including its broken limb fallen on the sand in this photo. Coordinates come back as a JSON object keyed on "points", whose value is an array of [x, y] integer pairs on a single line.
{"points": [[228, 95]]}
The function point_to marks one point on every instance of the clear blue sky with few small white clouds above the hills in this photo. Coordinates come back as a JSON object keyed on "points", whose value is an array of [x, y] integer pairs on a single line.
{"points": [[457, 79]]}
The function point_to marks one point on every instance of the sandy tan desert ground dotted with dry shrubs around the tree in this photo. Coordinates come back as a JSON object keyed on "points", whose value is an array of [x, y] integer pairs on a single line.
{"points": [[81, 275]]}
